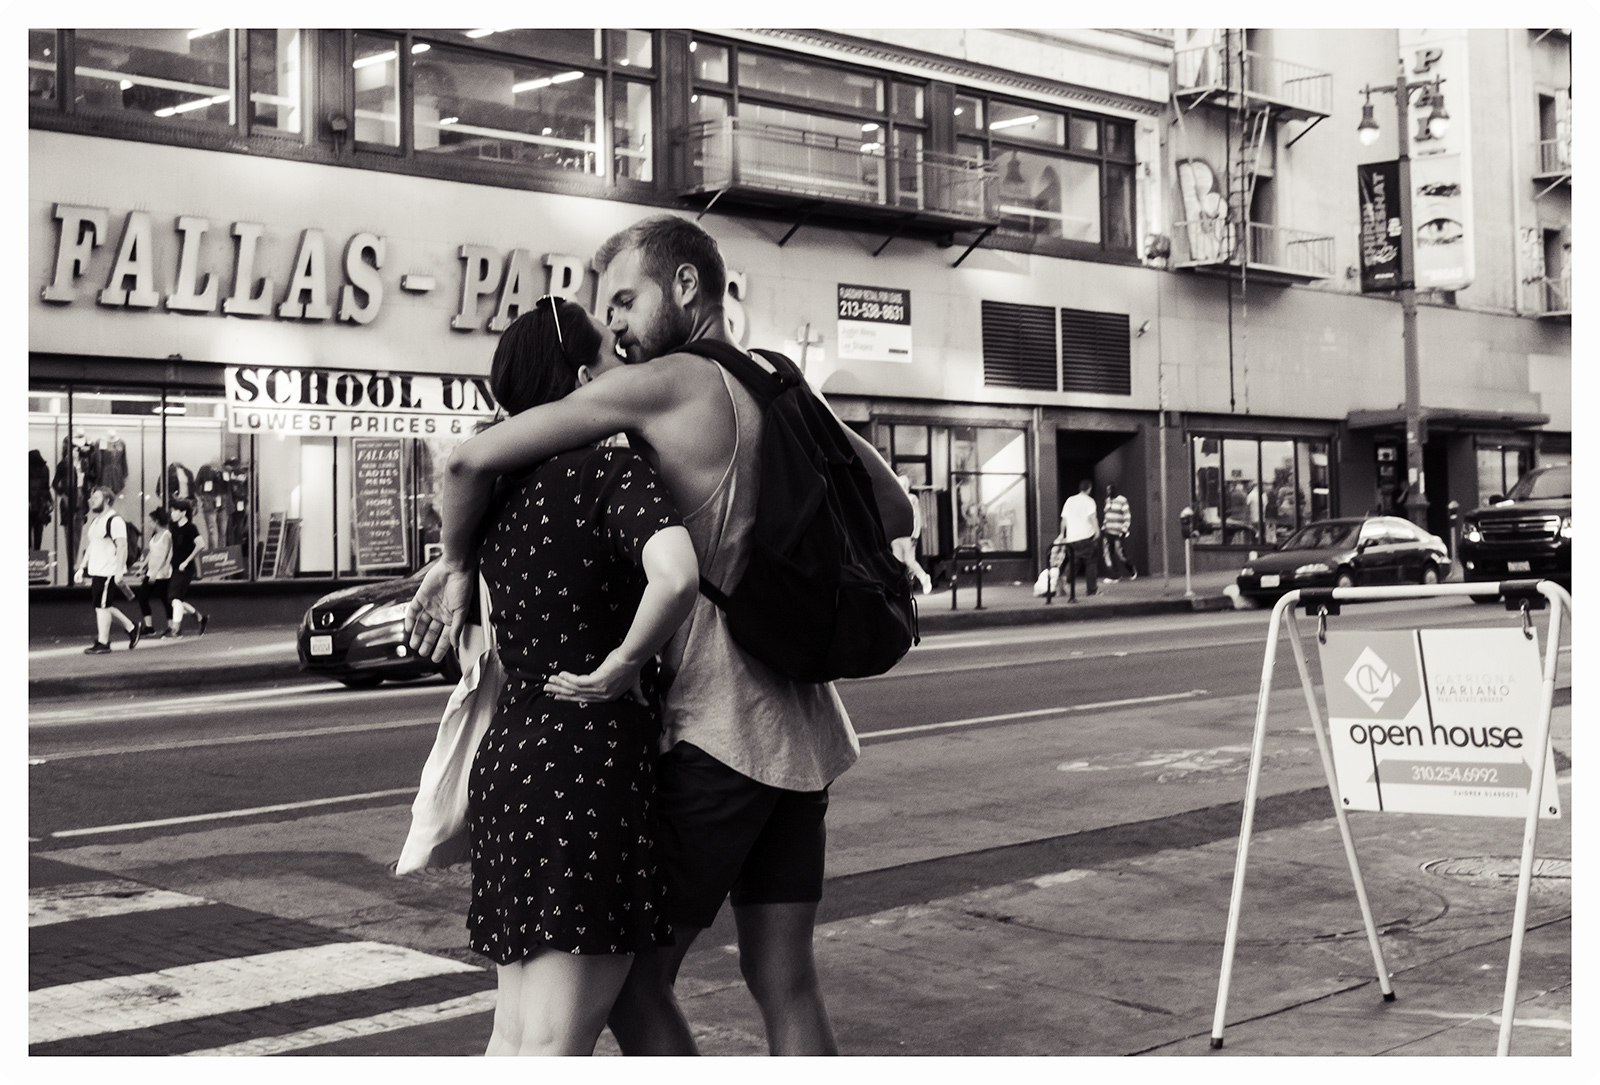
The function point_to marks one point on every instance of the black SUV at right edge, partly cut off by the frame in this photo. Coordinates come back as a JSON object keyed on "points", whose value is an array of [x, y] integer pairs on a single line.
{"points": [[1529, 534]]}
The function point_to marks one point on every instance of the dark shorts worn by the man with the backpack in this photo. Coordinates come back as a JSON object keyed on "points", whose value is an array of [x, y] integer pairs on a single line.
{"points": [[722, 833]]}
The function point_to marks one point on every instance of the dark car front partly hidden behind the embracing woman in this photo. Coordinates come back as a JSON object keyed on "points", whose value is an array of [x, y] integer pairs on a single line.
{"points": [[358, 636]]}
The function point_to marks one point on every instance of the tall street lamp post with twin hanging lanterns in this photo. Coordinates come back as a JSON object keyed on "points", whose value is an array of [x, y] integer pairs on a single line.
{"points": [[1433, 127]]}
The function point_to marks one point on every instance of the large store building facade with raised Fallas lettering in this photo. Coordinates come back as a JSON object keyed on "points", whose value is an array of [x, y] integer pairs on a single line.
{"points": [[268, 268]]}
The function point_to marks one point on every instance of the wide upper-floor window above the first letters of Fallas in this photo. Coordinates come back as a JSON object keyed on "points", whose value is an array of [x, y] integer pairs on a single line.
{"points": [[182, 76]]}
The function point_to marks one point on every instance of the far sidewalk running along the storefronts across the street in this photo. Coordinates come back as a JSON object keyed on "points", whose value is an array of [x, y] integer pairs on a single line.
{"points": [[265, 655]]}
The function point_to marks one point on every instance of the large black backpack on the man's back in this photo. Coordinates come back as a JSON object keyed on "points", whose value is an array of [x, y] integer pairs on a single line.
{"points": [[822, 596]]}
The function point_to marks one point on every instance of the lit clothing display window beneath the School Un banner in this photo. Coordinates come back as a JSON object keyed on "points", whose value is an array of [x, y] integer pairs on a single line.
{"points": [[268, 506]]}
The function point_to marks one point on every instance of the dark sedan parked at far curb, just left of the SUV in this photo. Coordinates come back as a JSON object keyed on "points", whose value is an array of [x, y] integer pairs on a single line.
{"points": [[1348, 555]]}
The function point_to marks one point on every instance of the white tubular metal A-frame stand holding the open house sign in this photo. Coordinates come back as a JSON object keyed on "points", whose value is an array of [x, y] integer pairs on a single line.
{"points": [[1559, 603]]}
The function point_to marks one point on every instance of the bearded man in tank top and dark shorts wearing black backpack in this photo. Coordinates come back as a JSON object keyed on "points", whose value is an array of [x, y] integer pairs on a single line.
{"points": [[748, 751]]}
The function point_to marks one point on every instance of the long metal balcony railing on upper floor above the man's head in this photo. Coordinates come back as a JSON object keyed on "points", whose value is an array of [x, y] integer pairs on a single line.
{"points": [[734, 154]]}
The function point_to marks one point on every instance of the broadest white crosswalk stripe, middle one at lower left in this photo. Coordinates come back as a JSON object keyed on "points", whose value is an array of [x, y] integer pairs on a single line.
{"points": [[223, 987]]}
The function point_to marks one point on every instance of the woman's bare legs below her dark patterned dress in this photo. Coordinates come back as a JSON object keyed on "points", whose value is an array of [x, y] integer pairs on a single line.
{"points": [[556, 1004]]}
